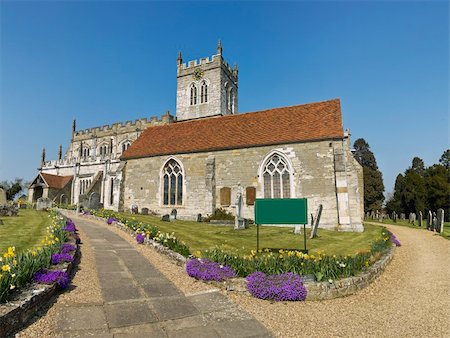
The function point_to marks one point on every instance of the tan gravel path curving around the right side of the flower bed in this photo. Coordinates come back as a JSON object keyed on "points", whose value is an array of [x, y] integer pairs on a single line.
{"points": [[410, 299]]}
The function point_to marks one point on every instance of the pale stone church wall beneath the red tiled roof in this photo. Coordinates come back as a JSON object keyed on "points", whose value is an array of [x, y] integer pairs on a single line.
{"points": [[313, 178]]}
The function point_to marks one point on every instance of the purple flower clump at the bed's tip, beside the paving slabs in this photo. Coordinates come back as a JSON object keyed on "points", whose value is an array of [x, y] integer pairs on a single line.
{"points": [[205, 269]]}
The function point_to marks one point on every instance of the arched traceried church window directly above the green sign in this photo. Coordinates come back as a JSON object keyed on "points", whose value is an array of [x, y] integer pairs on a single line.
{"points": [[276, 177]]}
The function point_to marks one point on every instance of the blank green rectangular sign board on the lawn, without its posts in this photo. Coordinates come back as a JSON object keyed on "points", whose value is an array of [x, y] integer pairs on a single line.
{"points": [[281, 211]]}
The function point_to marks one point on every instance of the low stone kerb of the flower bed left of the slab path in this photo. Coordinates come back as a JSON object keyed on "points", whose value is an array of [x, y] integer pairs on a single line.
{"points": [[18, 311]]}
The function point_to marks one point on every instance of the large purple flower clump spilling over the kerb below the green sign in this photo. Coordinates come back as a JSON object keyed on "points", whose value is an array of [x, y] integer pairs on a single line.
{"points": [[284, 287]]}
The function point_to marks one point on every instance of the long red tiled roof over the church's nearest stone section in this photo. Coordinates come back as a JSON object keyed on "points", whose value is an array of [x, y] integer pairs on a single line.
{"points": [[306, 122]]}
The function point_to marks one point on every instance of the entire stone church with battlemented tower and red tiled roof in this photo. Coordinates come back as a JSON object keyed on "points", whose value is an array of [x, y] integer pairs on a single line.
{"points": [[209, 153]]}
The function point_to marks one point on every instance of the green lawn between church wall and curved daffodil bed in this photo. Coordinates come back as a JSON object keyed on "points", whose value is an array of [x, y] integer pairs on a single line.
{"points": [[201, 236]]}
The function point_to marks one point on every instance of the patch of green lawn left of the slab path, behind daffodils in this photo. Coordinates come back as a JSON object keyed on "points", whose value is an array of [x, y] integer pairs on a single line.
{"points": [[24, 230]]}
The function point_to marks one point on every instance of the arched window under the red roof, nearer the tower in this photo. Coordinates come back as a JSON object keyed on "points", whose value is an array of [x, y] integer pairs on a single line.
{"points": [[172, 183]]}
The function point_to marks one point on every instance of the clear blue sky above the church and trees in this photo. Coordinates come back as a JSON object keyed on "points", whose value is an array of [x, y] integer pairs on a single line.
{"points": [[103, 62]]}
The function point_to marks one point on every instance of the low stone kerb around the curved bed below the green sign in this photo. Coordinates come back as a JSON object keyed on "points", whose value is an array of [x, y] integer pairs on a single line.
{"points": [[316, 290]]}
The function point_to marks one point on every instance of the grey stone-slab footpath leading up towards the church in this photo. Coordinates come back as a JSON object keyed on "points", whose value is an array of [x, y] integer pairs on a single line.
{"points": [[139, 301]]}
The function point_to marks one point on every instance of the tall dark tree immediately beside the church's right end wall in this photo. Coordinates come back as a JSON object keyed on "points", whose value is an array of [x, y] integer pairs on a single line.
{"points": [[373, 179]]}
